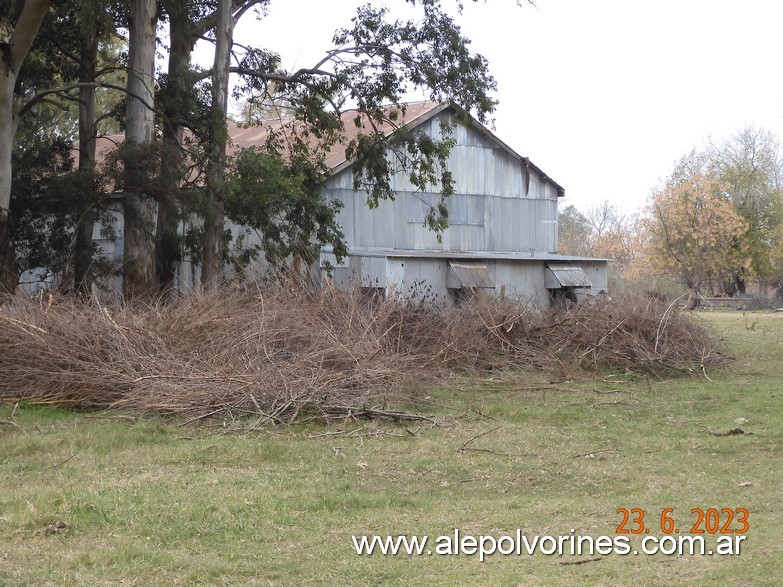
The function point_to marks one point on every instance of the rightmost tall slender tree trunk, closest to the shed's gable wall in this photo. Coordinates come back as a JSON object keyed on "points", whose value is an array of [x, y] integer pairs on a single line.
{"points": [[212, 268]]}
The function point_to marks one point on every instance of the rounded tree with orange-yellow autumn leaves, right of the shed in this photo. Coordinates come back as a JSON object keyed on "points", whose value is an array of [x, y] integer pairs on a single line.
{"points": [[690, 231]]}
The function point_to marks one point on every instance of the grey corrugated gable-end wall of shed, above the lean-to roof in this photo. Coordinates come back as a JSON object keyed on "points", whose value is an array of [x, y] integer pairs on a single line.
{"points": [[490, 210]]}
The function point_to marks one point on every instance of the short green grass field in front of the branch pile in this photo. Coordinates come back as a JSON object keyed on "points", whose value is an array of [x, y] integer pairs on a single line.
{"points": [[92, 499]]}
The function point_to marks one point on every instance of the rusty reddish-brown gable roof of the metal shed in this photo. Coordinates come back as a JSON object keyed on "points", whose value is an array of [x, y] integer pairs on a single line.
{"points": [[413, 115]]}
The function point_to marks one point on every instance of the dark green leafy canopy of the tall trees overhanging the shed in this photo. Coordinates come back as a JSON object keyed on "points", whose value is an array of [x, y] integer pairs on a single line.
{"points": [[375, 61]]}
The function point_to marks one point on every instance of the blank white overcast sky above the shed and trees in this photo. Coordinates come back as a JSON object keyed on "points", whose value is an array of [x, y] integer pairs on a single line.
{"points": [[603, 95]]}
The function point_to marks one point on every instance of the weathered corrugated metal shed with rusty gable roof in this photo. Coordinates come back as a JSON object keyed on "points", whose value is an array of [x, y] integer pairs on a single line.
{"points": [[502, 234]]}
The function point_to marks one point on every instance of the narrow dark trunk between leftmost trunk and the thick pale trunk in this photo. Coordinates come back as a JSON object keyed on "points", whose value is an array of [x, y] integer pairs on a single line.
{"points": [[85, 223]]}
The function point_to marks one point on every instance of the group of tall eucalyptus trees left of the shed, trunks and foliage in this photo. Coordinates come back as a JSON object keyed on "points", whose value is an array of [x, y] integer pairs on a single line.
{"points": [[433, 51]]}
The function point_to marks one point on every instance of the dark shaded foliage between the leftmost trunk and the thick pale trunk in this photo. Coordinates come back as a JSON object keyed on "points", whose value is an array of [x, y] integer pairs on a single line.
{"points": [[49, 199]]}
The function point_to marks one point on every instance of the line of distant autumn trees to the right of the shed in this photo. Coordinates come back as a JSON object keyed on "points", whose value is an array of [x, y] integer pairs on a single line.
{"points": [[715, 222]]}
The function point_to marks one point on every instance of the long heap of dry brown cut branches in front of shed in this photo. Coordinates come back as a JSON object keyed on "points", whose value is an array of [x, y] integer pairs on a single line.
{"points": [[284, 353]]}
